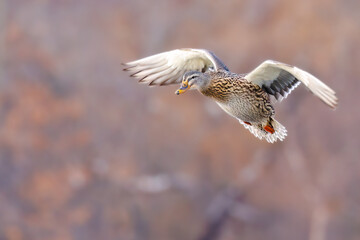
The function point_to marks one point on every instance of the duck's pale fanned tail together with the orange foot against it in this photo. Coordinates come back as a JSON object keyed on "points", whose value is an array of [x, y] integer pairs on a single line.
{"points": [[272, 130]]}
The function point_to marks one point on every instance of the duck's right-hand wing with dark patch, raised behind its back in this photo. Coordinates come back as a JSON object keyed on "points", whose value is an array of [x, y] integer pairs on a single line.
{"points": [[279, 79]]}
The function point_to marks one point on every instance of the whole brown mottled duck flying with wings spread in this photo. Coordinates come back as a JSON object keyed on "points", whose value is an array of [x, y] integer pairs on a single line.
{"points": [[249, 97]]}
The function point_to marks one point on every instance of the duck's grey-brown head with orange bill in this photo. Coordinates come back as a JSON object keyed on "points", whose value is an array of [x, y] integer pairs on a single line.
{"points": [[192, 80]]}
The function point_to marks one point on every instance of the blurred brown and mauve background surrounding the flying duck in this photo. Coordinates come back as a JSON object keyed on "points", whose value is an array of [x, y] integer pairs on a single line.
{"points": [[88, 153]]}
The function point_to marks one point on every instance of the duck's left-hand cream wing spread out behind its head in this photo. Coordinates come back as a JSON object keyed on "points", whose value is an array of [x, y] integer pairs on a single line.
{"points": [[169, 67]]}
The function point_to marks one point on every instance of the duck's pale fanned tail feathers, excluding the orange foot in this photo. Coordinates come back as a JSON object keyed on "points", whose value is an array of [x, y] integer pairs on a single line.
{"points": [[280, 131]]}
